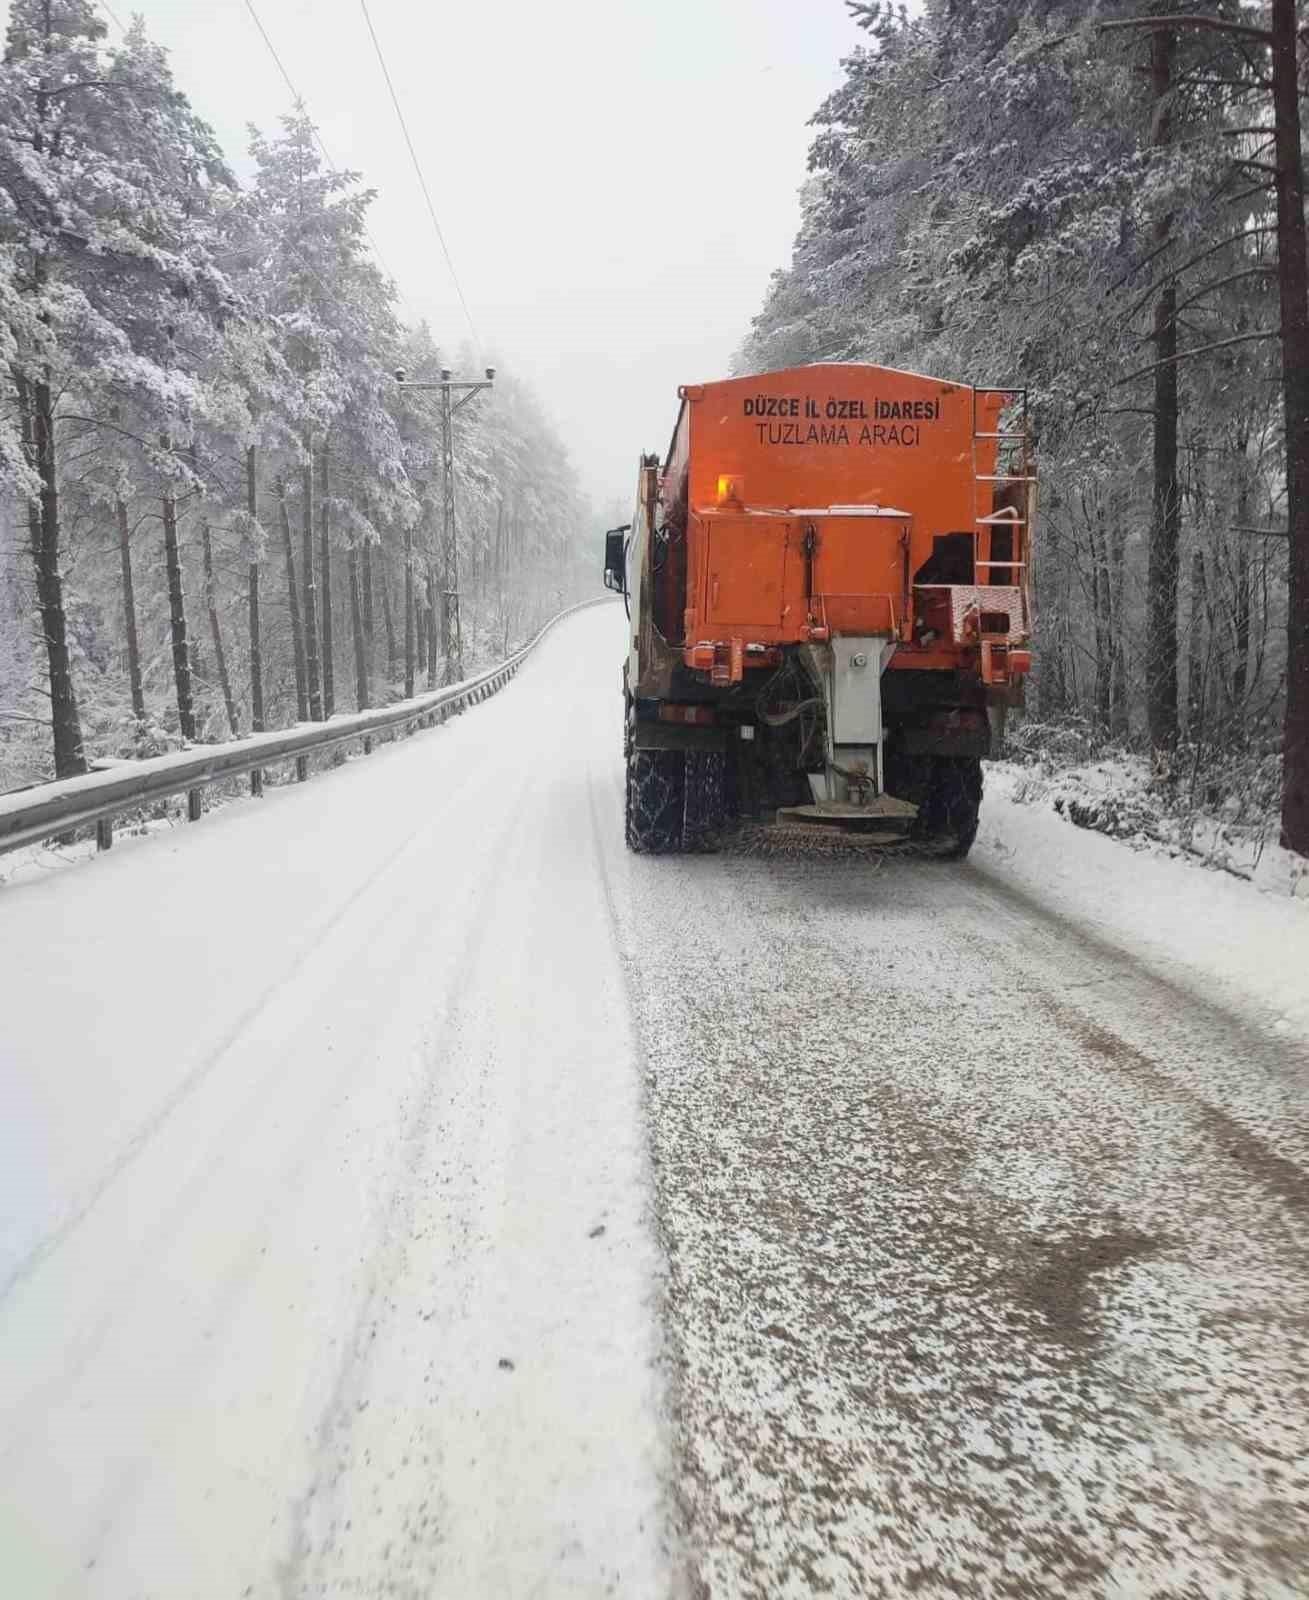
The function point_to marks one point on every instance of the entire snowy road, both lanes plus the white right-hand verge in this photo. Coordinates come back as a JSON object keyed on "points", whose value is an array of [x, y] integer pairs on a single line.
{"points": [[407, 1193]]}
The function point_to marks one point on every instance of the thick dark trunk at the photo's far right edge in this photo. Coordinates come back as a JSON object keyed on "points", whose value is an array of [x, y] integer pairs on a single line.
{"points": [[1294, 286]]}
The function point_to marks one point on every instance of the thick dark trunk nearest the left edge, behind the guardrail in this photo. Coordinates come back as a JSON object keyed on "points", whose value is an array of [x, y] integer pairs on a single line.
{"points": [[38, 420]]}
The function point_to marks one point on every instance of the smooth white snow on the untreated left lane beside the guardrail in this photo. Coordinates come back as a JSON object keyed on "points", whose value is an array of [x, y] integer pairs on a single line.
{"points": [[324, 1242]]}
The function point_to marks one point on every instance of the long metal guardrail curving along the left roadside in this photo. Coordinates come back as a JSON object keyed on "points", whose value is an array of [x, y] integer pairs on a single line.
{"points": [[49, 810]]}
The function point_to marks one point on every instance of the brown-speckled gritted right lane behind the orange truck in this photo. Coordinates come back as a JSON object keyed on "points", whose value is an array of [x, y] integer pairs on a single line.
{"points": [[988, 1252]]}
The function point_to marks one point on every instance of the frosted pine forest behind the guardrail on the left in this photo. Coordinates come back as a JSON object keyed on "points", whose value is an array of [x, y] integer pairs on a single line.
{"points": [[222, 510]]}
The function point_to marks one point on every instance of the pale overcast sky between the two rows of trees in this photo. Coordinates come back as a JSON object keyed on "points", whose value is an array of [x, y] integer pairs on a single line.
{"points": [[615, 178]]}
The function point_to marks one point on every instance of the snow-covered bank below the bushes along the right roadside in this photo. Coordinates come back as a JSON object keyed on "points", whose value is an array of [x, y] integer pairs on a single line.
{"points": [[1206, 929]]}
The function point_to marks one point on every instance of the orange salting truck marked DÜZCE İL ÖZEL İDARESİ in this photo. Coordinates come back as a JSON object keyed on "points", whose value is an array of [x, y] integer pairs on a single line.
{"points": [[828, 594]]}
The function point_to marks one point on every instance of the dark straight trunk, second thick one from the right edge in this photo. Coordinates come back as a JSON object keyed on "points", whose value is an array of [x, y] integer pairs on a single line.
{"points": [[1166, 527]]}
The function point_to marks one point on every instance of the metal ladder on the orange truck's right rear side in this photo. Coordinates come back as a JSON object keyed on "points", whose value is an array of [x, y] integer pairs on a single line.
{"points": [[991, 446]]}
